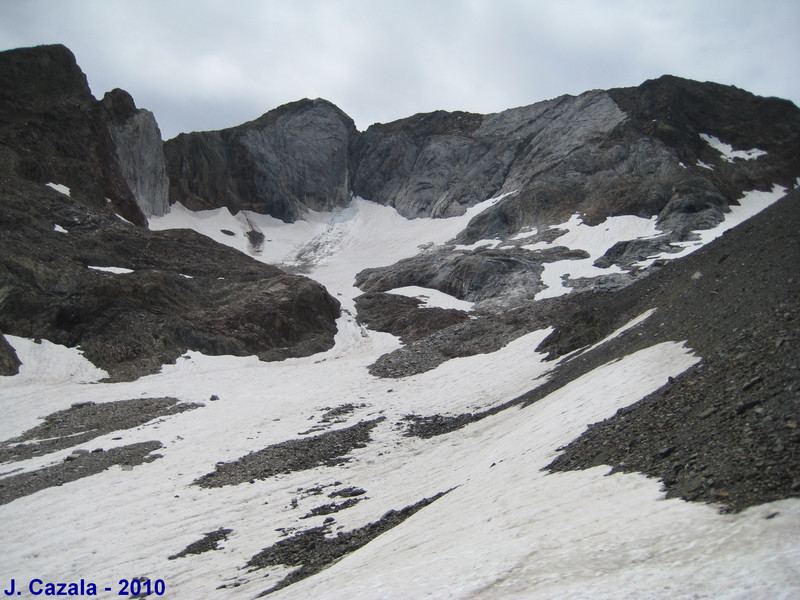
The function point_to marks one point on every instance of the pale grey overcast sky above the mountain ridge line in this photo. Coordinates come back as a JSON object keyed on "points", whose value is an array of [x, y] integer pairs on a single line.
{"points": [[208, 64]]}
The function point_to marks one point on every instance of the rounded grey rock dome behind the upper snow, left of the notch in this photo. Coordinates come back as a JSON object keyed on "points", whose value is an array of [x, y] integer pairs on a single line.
{"points": [[293, 158]]}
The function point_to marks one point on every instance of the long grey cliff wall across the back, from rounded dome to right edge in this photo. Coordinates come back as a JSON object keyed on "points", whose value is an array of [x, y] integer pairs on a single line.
{"points": [[637, 151]]}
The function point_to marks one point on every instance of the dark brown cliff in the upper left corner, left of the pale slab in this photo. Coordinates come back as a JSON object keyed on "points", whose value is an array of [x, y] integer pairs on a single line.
{"points": [[53, 130]]}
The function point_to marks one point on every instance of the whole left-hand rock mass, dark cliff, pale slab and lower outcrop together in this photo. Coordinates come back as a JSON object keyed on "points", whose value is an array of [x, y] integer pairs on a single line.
{"points": [[75, 273]]}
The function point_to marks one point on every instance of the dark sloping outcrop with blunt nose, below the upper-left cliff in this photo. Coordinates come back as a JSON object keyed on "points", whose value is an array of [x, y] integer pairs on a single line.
{"points": [[133, 299]]}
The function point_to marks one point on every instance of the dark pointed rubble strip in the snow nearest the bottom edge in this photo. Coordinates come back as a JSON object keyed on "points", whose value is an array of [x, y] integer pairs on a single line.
{"points": [[313, 551]]}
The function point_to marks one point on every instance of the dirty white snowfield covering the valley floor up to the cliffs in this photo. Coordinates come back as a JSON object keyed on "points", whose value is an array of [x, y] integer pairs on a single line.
{"points": [[506, 530]]}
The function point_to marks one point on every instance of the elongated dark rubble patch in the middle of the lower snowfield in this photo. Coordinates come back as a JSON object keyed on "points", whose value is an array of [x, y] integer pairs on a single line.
{"points": [[327, 449]]}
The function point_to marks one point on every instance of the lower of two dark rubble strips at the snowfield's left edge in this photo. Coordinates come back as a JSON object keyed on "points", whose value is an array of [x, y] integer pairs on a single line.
{"points": [[74, 467]]}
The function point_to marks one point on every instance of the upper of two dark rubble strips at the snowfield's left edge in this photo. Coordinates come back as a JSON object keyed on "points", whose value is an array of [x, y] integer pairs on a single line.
{"points": [[85, 421]]}
